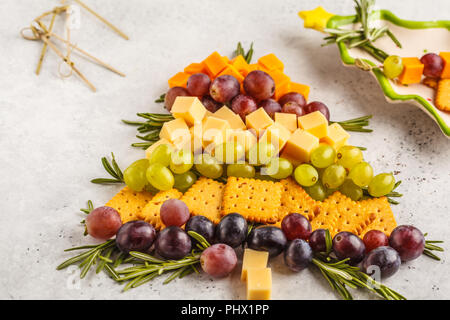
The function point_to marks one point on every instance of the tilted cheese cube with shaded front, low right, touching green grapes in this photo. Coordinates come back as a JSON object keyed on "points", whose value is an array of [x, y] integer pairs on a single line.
{"points": [[299, 146]]}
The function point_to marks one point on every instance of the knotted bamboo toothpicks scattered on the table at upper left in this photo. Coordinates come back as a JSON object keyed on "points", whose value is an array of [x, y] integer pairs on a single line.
{"points": [[39, 31]]}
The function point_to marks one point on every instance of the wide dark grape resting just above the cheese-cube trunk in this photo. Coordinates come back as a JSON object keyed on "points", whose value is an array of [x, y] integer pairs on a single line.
{"points": [[271, 239]]}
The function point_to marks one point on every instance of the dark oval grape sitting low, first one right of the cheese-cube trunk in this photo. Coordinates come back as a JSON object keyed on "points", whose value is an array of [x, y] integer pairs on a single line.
{"points": [[298, 255]]}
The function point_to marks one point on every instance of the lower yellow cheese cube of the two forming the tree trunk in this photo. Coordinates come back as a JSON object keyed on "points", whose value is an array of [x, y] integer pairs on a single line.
{"points": [[259, 284]]}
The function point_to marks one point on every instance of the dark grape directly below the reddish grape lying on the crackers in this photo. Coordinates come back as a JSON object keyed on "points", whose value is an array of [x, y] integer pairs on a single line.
{"points": [[173, 243]]}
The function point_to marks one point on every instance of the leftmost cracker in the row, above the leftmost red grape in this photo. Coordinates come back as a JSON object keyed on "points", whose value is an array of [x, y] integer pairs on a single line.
{"points": [[129, 203]]}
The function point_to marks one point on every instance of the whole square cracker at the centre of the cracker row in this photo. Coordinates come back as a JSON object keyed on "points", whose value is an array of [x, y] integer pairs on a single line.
{"points": [[255, 200]]}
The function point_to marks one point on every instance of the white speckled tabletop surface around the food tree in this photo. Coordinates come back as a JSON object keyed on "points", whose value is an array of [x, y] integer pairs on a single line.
{"points": [[53, 133]]}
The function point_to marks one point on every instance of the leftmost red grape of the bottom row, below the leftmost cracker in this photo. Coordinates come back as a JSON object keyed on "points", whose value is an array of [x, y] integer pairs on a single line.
{"points": [[103, 223]]}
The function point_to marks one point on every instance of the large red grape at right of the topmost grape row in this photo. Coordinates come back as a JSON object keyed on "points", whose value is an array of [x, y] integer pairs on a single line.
{"points": [[259, 85]]}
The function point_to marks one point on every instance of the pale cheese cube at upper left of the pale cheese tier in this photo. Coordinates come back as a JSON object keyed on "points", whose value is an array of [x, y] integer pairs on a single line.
{"points": [[188, 108]]}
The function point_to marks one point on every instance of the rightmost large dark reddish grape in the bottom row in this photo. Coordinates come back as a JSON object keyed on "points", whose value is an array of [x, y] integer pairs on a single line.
{"points": [[408, 241]]}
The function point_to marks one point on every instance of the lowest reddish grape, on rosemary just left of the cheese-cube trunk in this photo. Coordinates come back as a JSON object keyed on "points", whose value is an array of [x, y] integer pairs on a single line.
{"points": [[218, 260]]}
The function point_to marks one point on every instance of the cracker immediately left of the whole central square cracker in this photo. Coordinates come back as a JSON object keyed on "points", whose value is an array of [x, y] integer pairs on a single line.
{"points": [[205, 198]]}
